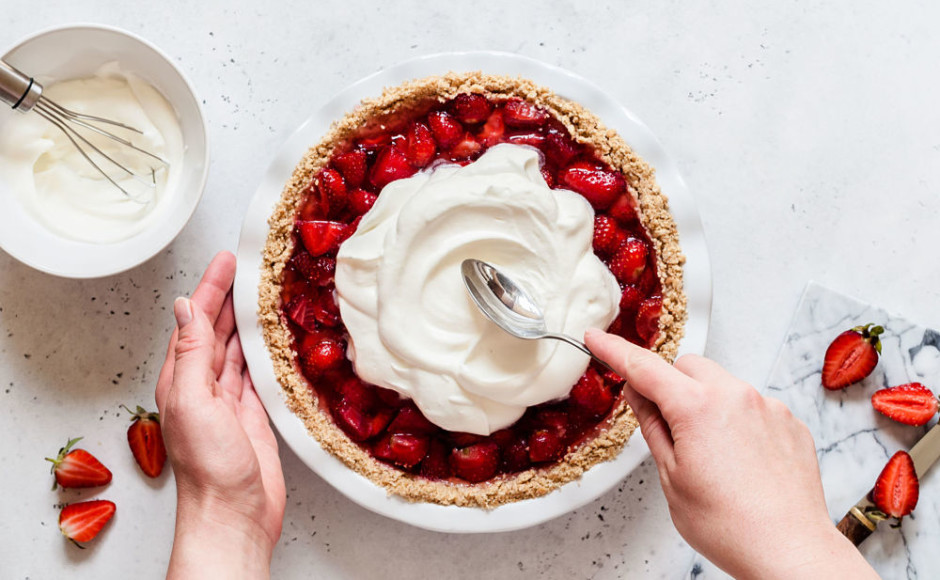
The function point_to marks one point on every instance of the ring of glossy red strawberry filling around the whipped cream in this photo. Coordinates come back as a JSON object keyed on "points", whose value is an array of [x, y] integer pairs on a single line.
{"points": [[385, 425]]}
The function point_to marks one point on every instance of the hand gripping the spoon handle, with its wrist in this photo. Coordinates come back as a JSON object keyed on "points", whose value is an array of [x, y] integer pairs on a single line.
{"points": [[739, 471]]}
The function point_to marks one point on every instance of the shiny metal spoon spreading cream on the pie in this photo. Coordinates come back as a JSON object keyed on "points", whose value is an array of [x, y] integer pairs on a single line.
{"points": [[509, 306]]}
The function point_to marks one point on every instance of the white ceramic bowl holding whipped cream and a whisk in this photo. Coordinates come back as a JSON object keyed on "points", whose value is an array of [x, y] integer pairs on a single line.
{"points": [[77, 51]]}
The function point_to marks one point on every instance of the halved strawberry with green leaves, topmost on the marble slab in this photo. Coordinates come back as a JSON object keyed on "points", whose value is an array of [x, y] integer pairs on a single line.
{"points": [[852, 356]]}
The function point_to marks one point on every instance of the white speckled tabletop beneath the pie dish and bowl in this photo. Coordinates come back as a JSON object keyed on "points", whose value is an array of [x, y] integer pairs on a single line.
{"points": [[805, 130]]}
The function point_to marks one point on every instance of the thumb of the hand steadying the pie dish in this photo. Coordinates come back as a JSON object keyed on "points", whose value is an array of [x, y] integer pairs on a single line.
{"points": [[195, 347]]}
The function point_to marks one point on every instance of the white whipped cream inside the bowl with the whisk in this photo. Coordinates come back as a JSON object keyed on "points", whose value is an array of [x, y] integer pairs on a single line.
{"points": [[61, 190]]}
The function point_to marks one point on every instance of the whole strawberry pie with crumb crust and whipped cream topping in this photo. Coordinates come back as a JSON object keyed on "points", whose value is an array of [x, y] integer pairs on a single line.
{"points": [[376, 344]]}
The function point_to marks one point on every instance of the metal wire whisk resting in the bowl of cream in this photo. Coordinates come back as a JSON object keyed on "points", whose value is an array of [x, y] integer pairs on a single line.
{"points": [[24, 94]]}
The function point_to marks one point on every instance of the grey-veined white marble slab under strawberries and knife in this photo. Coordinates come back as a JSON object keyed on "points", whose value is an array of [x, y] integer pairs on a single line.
{"points": [[853, 441]]}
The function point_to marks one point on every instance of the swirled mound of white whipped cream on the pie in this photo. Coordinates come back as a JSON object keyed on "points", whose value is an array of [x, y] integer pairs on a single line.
{"points": [[414, 329]]}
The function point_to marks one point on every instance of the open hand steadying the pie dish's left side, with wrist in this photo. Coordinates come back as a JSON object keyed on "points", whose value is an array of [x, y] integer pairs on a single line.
{"points": [[230, 487]]}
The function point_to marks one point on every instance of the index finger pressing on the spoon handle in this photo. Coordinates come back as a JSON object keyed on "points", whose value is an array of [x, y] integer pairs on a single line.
{"points": [[645, 371]]}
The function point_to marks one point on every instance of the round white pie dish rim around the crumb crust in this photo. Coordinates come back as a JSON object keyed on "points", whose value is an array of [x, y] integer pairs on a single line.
{"points": [[599, 478]]}
